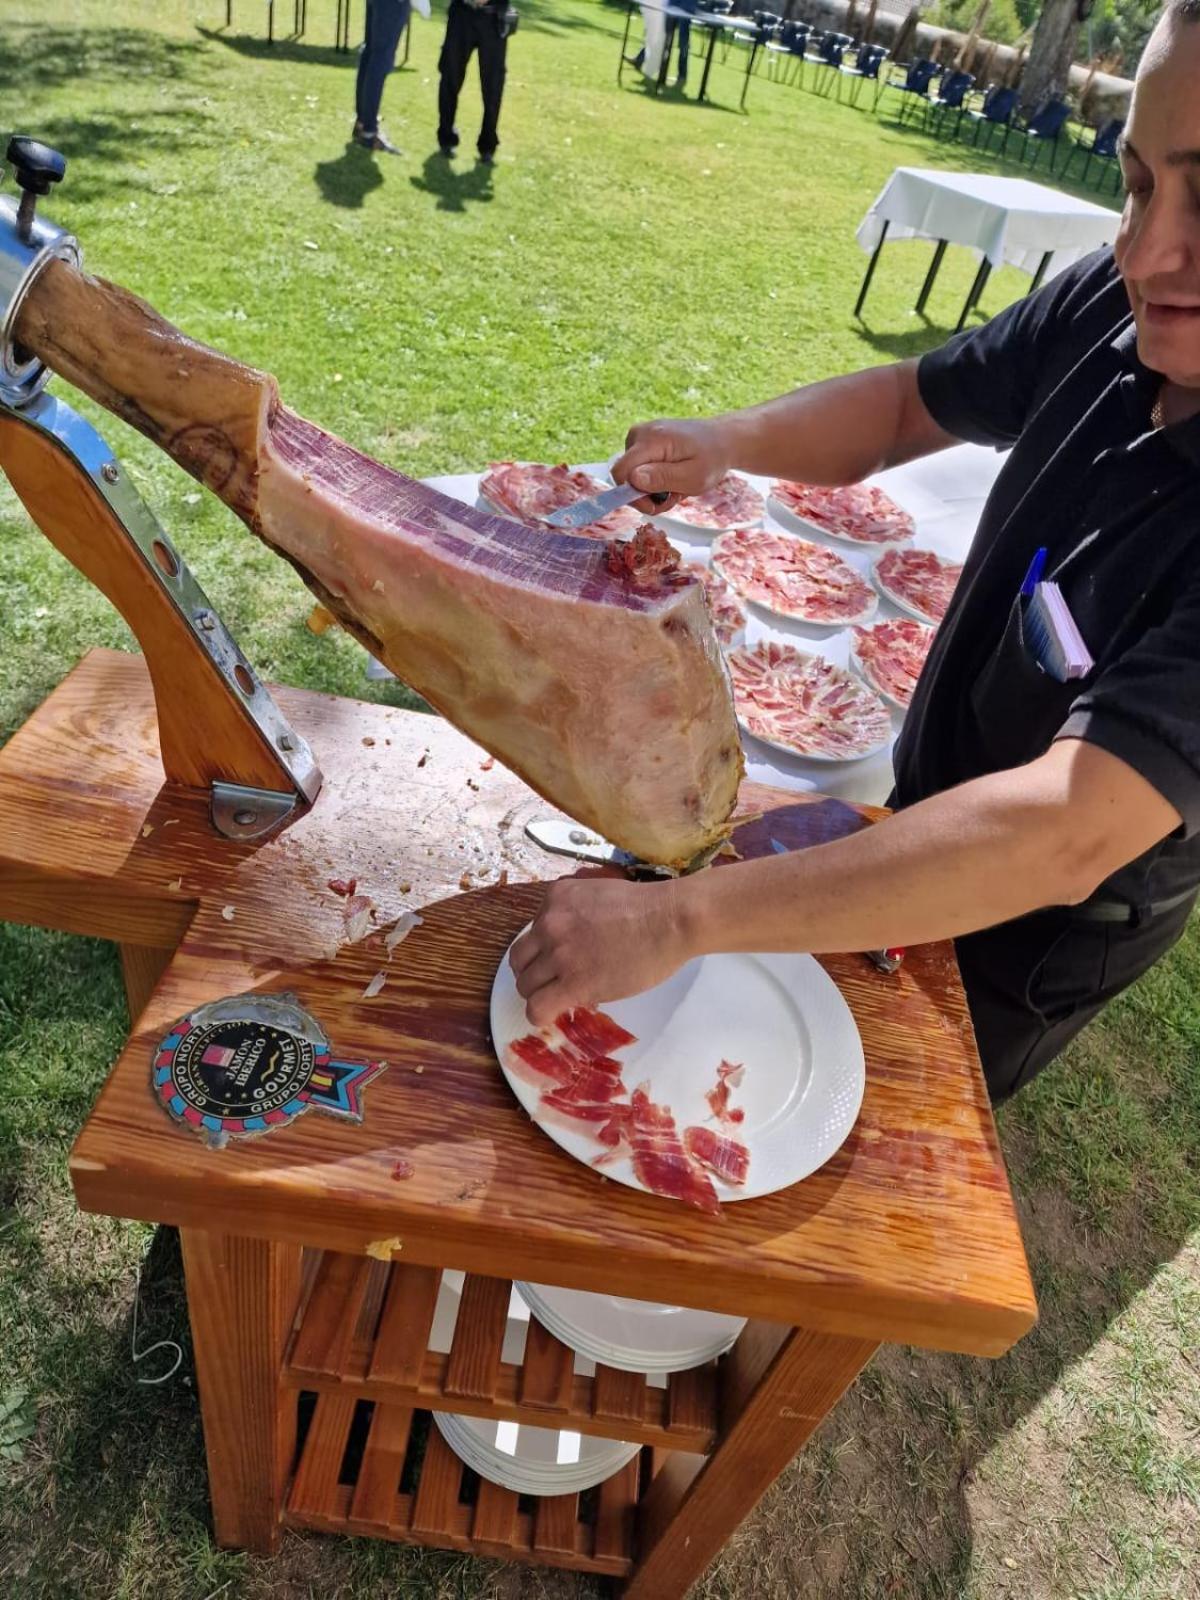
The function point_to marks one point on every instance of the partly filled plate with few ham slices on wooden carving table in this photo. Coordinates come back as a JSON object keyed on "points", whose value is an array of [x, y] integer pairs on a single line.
{"points": [[737, 1078]]}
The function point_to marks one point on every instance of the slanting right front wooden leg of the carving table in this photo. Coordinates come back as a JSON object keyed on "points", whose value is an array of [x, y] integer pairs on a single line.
{"points": [[780, 1386]]}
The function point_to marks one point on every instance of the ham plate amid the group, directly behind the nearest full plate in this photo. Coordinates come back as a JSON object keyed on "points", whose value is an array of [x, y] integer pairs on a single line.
{"points": [[794, 578]]}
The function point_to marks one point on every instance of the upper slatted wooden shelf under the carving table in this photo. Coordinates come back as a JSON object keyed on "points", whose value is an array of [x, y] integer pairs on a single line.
{"points": [[364, 1334]]}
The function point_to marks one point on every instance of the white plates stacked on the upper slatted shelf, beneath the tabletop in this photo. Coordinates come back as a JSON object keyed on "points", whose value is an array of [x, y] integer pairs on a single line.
{"points": [[636, 1337]]}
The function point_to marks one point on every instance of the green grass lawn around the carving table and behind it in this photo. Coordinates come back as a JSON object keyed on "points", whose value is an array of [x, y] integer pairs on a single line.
{"points": [[626, 258]]}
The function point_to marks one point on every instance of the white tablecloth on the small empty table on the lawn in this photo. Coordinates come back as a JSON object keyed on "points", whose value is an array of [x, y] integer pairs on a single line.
{"points": [[1007, 220]]}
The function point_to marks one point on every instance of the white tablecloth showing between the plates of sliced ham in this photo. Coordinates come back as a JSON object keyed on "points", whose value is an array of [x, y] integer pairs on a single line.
{"points": [[945, 494]]}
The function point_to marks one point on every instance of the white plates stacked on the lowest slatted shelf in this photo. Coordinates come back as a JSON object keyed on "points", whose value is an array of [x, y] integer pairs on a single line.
{"points": [[534, 1460]]}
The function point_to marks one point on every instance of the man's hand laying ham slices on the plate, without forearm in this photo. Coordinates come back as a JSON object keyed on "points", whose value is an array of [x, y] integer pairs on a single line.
{"points": [[598, 938]]}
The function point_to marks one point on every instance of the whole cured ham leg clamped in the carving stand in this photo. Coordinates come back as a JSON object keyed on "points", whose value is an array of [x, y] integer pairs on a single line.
{"points": [[599, 682]]}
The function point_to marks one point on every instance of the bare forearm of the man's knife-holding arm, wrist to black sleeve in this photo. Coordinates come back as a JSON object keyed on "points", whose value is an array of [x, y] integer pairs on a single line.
{"points": [[838, 431]]}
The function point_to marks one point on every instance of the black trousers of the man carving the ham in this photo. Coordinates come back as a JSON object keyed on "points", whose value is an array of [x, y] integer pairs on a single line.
{"points": [[1034, 983]]}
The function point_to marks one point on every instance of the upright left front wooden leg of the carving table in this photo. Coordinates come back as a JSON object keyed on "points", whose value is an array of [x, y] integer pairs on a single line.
{"points": [[242, 1298]]}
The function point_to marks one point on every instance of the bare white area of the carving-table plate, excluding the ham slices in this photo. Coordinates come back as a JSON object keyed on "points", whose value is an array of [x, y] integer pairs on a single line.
{"points": [[780, 1015]]}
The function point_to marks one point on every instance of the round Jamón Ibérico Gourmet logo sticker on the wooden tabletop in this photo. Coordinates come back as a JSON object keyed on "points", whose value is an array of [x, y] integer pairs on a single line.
{"points": [[252, 1063]]}
